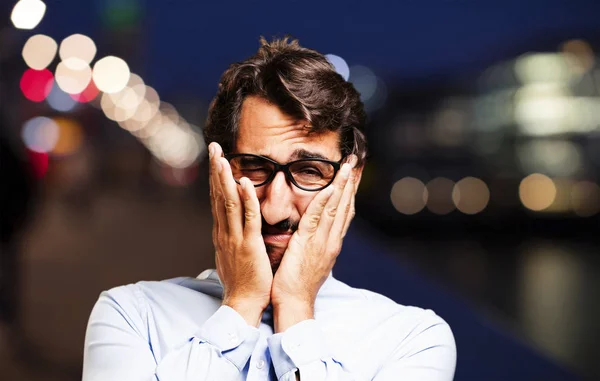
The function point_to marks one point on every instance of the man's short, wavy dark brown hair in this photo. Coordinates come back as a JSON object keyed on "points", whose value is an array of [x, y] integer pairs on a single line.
{"points": [[302, 83]]}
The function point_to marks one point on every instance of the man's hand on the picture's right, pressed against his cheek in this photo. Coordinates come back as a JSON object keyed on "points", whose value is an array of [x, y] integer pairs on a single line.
{"points": [[313, 249]]}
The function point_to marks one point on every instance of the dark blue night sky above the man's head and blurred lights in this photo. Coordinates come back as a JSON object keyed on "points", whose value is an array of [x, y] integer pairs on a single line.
{"points": [[188, 43]]}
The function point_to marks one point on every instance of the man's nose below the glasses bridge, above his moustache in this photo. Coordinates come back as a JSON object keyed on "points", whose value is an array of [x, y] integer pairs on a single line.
{"points": [[276, 204]]}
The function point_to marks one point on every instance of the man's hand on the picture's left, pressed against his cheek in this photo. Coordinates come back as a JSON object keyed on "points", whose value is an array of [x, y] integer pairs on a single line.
{"points": [[241, 257]]}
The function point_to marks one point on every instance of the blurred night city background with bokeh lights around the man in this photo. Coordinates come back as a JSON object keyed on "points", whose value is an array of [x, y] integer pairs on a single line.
{"points": [[481, 199]]}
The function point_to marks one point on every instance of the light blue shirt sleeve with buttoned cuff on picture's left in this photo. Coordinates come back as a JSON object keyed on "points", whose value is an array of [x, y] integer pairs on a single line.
{"points": [[118, 346]]}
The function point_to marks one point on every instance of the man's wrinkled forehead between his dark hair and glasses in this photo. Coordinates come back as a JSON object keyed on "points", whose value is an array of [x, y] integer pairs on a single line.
{"points": [[265, 130]]}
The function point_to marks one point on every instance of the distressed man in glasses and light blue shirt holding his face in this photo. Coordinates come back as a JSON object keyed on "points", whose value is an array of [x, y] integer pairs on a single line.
{"points": [[286, 156]]}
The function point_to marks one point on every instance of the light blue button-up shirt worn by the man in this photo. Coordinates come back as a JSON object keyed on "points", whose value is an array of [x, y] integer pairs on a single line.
{"points": [[178, 330]]}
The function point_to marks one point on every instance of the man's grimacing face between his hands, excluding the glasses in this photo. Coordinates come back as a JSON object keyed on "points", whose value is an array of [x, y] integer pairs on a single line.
{"points": [[265, 130]]}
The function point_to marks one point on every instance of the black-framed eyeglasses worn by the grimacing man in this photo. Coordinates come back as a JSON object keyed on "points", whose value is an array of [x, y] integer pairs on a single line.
{"points": [[307, 174]]}
